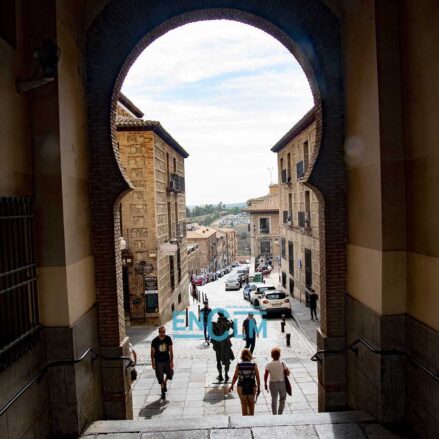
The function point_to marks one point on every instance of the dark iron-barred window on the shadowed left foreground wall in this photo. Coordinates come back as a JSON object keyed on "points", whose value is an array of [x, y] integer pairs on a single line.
{"points": [[18, 279]]}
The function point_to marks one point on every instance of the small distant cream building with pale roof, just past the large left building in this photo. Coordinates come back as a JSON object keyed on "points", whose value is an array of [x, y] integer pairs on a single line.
{"points": [[205, 238]]}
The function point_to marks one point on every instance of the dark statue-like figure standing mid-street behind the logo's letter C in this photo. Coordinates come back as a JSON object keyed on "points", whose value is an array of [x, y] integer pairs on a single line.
{"points": [[222, 345]]}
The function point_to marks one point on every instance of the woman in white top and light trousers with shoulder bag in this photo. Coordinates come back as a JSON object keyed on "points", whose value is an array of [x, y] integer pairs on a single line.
{"points": [[277, 371]]}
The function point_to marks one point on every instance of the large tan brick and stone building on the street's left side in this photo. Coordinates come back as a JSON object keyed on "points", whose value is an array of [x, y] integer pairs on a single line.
{"points": [[153, 218]]}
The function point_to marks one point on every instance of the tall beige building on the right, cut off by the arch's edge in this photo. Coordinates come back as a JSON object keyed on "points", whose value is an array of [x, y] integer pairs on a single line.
{"points": [[299, 211]]}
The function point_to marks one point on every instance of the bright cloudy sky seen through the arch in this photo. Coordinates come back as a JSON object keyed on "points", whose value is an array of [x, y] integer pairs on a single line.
{"points": [[226, 92]]}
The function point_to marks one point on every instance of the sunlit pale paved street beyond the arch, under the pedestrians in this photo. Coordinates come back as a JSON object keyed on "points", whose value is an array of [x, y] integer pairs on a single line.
{"points": [[193, 393]]}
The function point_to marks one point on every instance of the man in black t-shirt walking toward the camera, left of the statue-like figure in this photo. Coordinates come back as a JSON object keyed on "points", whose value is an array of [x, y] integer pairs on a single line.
{"points": [[162, 359]]}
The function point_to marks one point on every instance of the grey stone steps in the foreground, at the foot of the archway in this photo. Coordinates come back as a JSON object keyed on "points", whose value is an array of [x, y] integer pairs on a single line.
{"points": [[337, 425]]}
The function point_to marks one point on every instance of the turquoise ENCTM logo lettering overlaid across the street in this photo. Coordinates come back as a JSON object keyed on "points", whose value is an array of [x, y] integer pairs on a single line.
{"points": [[180, 329]]}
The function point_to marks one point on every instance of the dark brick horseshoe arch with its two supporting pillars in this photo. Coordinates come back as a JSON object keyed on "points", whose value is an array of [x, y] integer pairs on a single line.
{"points": [[117, 36]]}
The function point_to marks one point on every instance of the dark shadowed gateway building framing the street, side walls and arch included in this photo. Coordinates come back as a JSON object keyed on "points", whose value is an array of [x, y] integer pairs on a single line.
{"points": [[373, 74]]}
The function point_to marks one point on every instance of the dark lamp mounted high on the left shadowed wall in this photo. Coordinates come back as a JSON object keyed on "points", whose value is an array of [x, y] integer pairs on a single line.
{"points": [[47, 57]]}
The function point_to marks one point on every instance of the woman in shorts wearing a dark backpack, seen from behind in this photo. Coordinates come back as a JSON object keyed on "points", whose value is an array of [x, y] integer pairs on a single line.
{"points": [[249, 382]]}
